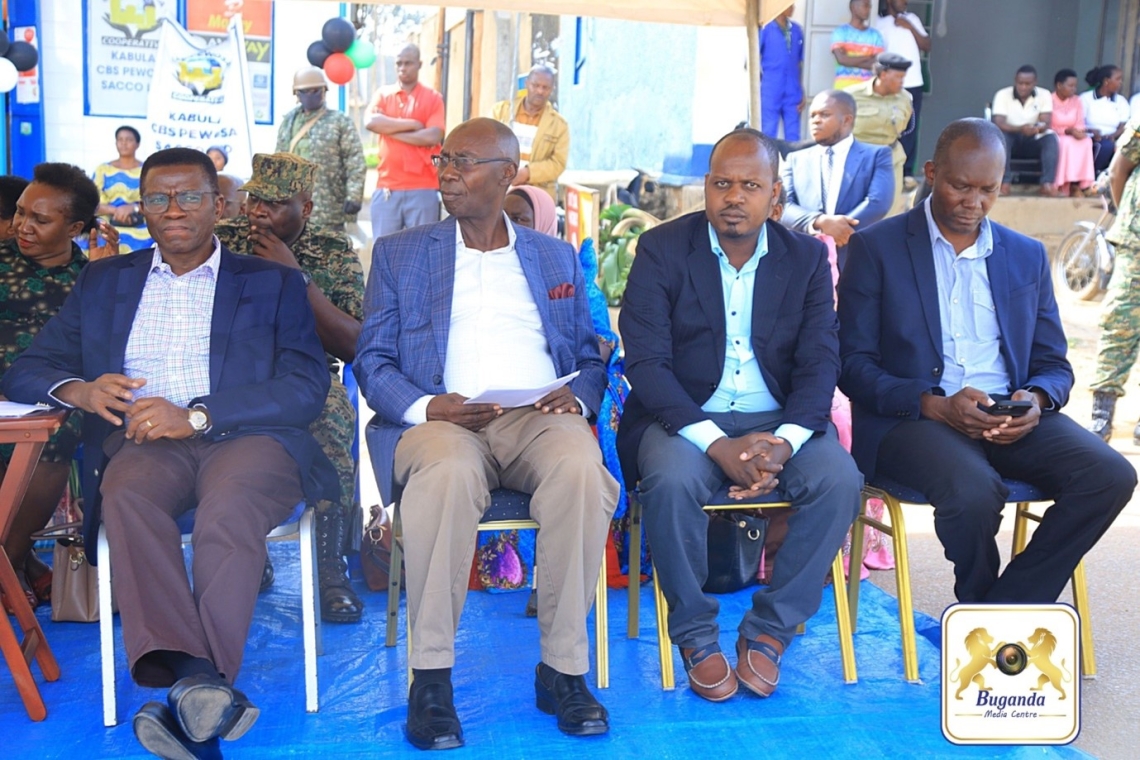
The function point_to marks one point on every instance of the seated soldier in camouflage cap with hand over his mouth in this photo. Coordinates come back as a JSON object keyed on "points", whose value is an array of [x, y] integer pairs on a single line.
{"points": [[279, 227]]}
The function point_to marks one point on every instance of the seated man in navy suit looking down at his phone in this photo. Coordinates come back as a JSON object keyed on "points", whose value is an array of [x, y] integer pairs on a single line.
{"points": [[941, 312]]}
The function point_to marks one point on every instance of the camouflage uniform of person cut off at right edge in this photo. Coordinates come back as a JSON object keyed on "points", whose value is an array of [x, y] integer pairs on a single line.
{"points": [[1120, 322]]}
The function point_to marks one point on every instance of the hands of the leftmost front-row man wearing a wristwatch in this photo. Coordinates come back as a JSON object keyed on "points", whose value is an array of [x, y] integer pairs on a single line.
{"points": [[148, 420]]}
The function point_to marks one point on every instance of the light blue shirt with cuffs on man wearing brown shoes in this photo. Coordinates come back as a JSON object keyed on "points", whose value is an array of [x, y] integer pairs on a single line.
{"points": [[743, 387]]}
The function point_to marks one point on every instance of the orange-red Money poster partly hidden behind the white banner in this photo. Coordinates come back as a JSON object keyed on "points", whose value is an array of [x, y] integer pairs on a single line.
{"points": [[210, 19]]}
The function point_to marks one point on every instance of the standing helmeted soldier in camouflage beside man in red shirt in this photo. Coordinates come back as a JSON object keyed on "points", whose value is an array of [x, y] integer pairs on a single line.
{"points": [[332, 142]]}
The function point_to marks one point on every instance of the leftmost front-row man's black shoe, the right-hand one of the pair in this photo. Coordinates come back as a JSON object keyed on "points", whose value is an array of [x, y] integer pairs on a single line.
{"points": [[207, 707]]}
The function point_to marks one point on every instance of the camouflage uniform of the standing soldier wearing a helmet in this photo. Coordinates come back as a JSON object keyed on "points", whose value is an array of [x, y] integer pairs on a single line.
{"points": [[333, 144]]}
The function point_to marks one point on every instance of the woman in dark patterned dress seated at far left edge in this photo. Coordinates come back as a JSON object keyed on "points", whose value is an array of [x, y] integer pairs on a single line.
{"points": [[38, 269]]}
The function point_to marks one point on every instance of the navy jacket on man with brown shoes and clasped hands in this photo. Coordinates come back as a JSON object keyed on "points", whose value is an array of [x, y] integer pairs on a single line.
{"points": [[673, 326]]}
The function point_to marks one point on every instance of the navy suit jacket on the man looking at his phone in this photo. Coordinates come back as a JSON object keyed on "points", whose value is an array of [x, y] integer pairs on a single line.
{"points": [[891, 331]]}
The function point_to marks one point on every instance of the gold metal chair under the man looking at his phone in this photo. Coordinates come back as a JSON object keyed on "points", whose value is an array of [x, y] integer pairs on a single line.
{"points": [[894, 496]]}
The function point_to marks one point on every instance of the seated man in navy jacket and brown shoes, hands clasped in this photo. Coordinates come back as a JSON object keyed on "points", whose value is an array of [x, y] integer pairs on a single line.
{"points": [[732, 354]]}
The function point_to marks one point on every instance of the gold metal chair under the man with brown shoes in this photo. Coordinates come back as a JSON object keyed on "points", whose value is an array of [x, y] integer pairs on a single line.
{"points": [[720, 503]]}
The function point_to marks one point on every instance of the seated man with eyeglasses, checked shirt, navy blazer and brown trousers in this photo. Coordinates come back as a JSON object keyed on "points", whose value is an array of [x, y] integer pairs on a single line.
{"points": [[200, 373]]}
